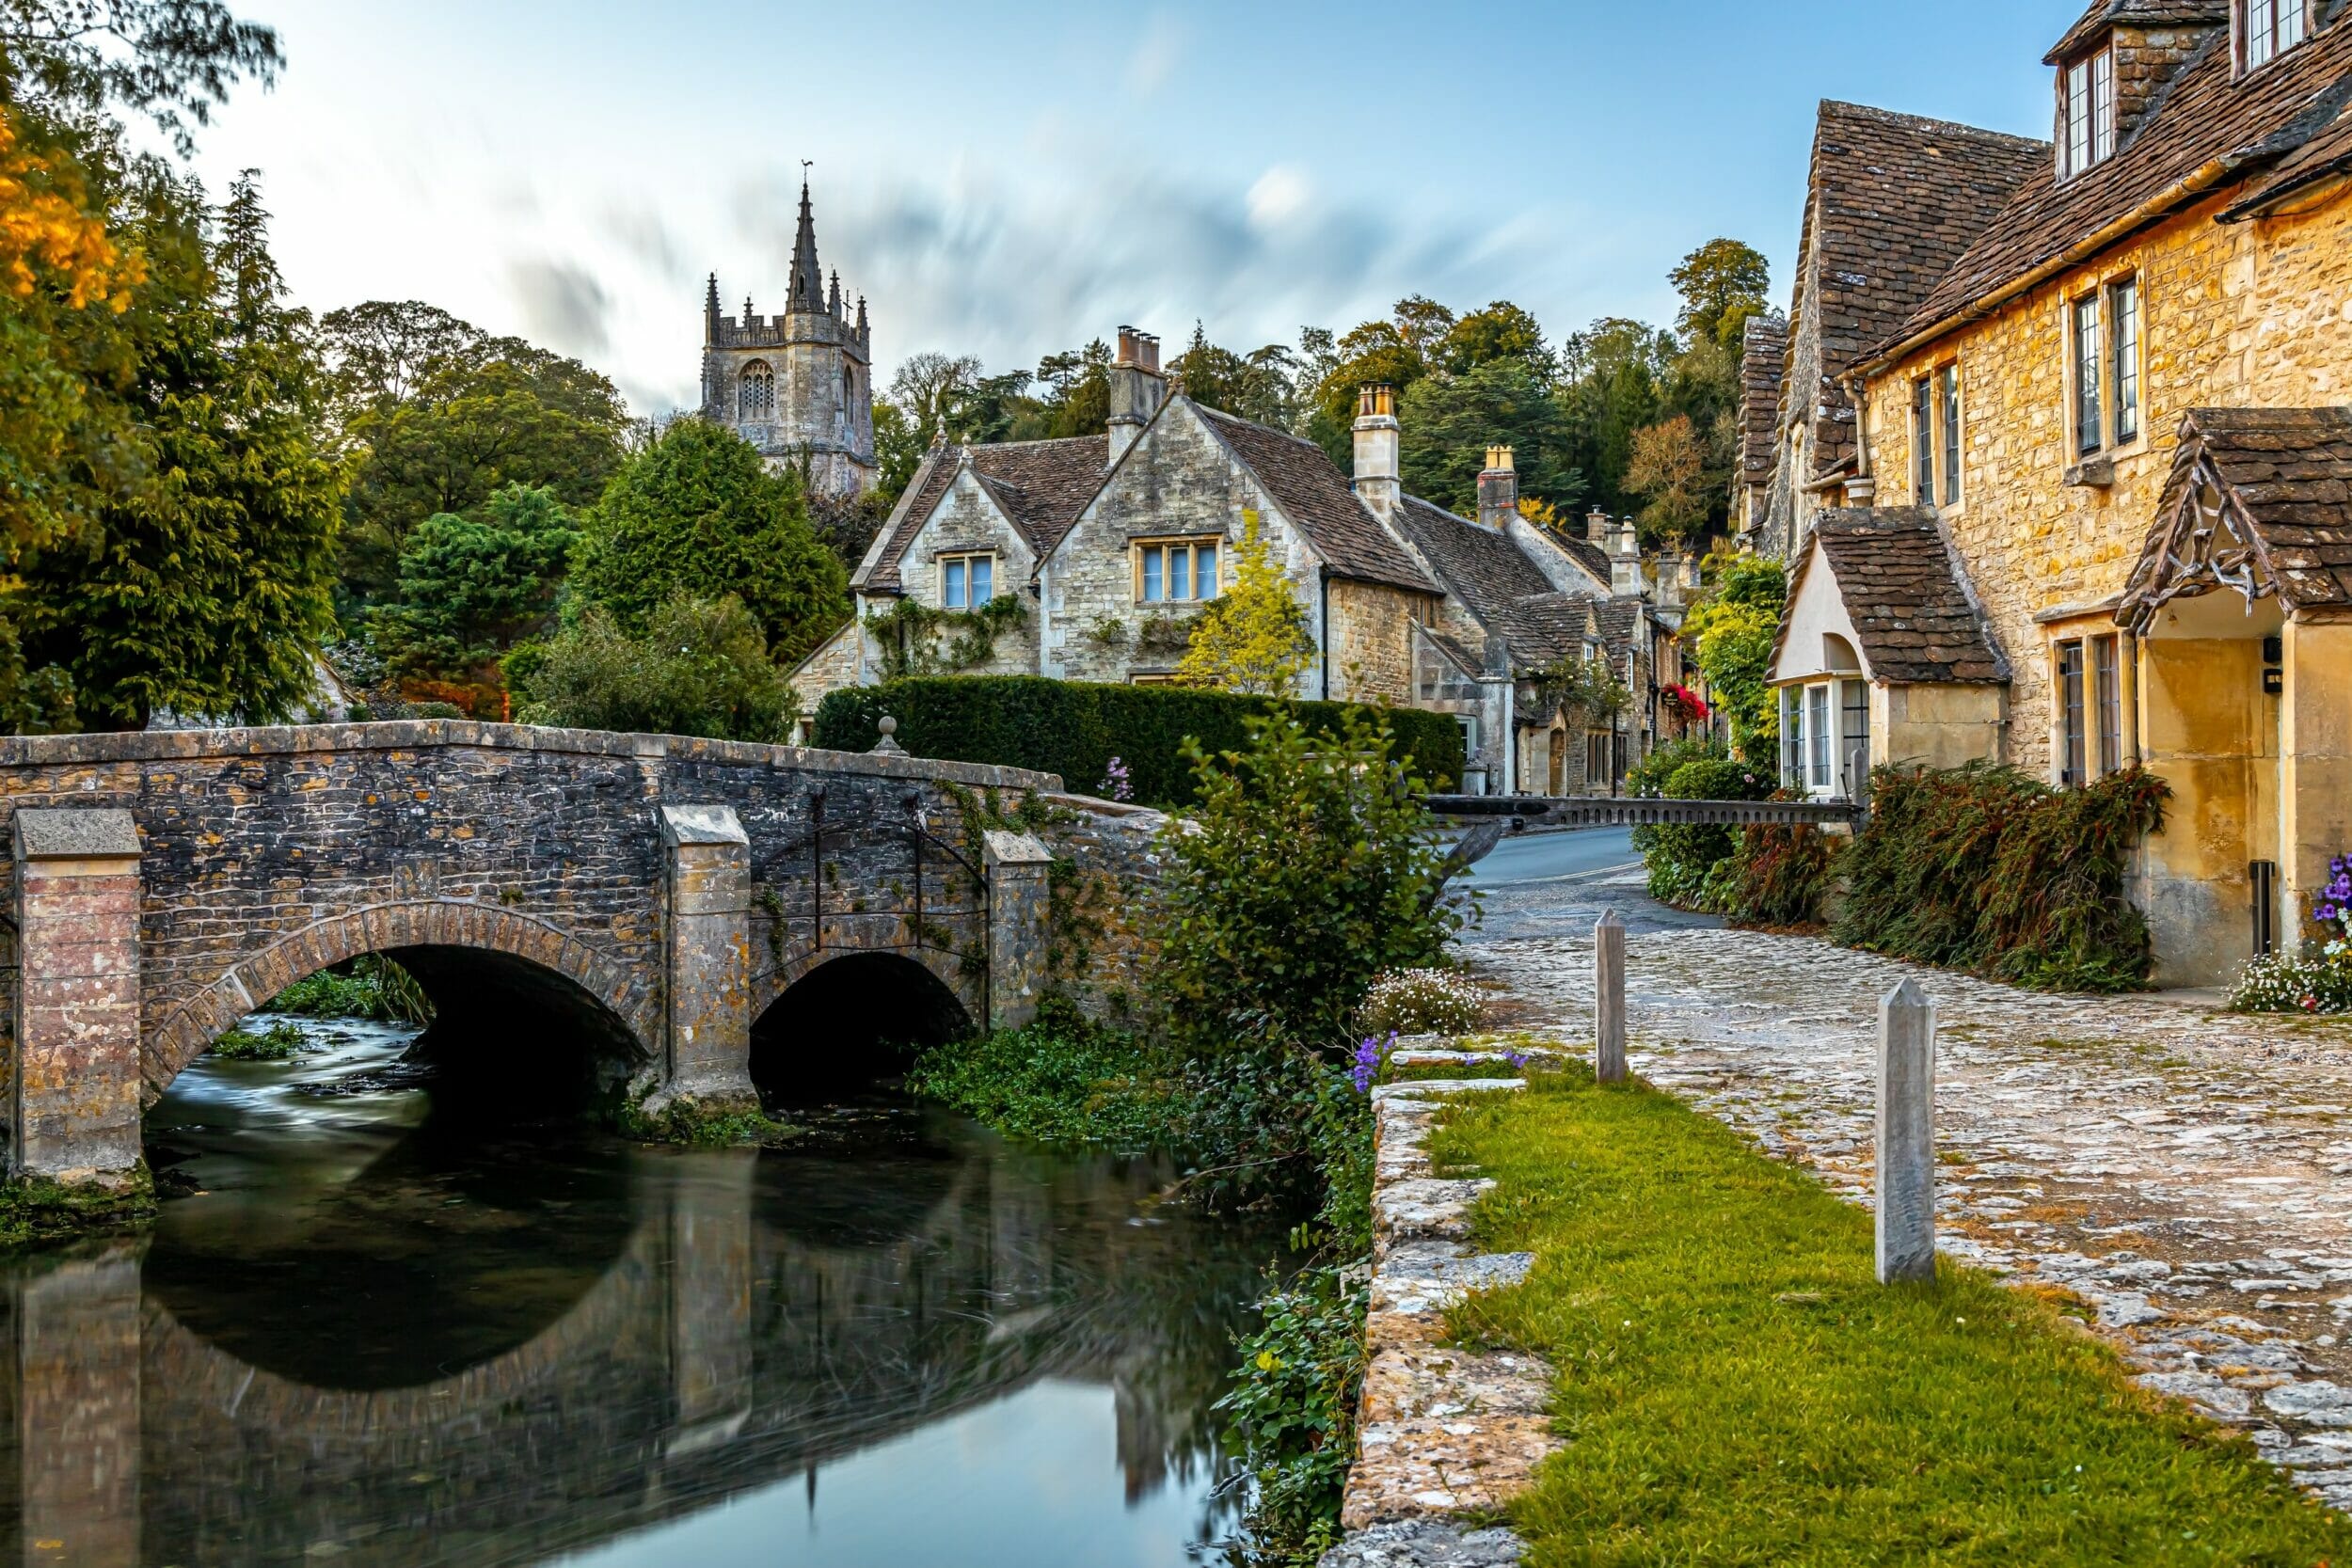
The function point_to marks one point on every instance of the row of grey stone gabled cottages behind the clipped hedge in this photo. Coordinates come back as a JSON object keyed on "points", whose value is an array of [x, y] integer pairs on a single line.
{"points": [[1107, 549]]}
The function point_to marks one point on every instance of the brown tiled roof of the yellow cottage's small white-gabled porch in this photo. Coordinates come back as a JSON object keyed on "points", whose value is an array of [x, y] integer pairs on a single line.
{"points": [[1904, 596]]}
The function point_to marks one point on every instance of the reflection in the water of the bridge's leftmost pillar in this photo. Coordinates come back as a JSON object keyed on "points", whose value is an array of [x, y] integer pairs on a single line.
{"points": [[76, 1365]]}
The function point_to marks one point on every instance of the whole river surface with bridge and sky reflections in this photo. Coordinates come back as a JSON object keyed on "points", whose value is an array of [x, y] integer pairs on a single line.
{"points": [[377, 1339]]}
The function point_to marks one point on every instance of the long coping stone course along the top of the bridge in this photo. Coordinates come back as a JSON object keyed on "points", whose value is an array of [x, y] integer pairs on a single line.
{"points": [[432, 735]]}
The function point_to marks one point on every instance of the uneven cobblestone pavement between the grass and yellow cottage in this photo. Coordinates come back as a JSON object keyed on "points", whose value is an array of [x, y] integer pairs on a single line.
{"points": [[2179, 1170]]}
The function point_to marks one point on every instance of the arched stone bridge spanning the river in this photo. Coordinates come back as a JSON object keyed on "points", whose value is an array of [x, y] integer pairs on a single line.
{"points": [[606, 909]]}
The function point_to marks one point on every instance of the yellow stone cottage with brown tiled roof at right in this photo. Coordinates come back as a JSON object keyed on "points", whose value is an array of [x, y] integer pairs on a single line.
{"points": [[2099, 490]]}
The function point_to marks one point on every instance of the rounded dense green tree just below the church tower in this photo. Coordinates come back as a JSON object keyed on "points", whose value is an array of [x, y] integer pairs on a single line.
{"points": [[700, 514]]}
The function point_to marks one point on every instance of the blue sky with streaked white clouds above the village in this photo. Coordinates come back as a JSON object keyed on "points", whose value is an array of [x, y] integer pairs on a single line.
{"points": [[1020, 177]]}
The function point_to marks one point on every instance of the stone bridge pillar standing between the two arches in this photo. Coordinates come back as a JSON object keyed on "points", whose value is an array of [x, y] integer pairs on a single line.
{"points": [[709, 953]]}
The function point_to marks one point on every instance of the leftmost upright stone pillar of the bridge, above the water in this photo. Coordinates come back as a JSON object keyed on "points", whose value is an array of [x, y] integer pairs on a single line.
{"points": [[76, 1106]]}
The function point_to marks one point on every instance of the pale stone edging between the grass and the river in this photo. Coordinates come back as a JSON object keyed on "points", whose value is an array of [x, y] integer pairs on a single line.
{"points": [[1441, 1433]]}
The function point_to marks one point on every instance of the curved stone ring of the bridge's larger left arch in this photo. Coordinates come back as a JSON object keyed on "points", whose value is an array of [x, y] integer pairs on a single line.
{"points": [[417, 932]]}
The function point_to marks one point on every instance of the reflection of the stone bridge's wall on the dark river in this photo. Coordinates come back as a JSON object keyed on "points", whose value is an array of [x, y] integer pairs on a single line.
{"points": [[719, 1353]]}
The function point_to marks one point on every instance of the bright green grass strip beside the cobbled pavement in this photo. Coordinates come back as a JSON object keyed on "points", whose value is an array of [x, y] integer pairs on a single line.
{"points": [[1735, 1388]]}
